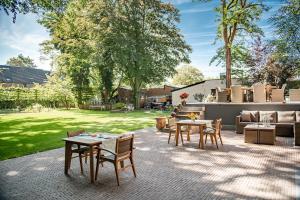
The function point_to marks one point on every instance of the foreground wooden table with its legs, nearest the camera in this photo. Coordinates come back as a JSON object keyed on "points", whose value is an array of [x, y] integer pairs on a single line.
{"points": [[89, 141]]}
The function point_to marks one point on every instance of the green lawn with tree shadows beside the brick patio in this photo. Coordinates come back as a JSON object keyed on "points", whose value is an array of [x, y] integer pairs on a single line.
{"points": [[26, 133]]}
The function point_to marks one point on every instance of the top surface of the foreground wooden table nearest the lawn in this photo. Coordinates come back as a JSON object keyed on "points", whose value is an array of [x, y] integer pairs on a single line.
{"points": [[87, 139]]}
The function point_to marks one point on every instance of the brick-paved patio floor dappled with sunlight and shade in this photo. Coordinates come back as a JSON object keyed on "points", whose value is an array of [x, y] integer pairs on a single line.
{"points": [[235, 171]]}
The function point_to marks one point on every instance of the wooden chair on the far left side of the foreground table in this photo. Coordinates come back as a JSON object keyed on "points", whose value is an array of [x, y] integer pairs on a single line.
{"points": [[81, 151]]}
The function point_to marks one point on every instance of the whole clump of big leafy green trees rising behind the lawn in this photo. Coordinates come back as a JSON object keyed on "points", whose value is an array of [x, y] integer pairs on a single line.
{"points": [[137, 41]]}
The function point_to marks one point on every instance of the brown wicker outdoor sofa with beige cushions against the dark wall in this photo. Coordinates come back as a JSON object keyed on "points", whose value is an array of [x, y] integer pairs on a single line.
{"points": [[287, 122]]}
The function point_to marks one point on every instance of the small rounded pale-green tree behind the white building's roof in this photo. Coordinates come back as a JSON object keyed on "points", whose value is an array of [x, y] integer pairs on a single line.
{"points": [[187, 75]]}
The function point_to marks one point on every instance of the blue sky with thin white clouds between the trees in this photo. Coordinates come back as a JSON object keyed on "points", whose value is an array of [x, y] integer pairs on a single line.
{"points": [[198, 25]]}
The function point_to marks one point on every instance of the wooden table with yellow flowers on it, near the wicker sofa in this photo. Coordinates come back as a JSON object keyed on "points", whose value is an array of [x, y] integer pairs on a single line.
{"points": [[200, 123]]}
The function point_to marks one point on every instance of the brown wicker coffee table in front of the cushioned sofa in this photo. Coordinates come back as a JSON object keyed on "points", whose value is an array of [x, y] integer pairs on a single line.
{"points": [[260, 134]]}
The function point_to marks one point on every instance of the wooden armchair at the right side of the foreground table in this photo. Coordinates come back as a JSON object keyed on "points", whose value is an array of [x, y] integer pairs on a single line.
{"points": [[123, 151]]}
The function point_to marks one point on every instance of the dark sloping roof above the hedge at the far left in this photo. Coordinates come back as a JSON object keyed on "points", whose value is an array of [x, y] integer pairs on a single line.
{"points": [[22, 75]]}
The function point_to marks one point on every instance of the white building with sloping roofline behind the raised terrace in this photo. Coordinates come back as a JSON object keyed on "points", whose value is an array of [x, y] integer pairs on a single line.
{"points": [[205, 88]]}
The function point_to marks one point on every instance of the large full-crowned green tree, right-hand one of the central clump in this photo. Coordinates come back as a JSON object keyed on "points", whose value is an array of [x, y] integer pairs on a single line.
{"points": [[149, 42]]}
